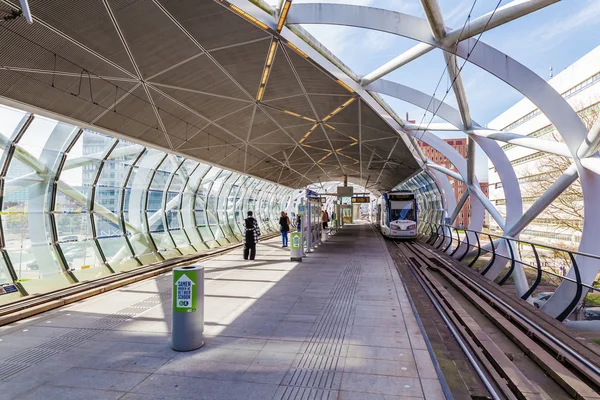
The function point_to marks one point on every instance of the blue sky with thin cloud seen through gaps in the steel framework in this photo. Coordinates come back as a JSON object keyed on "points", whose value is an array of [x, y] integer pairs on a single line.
{"points": [[555, 36]]}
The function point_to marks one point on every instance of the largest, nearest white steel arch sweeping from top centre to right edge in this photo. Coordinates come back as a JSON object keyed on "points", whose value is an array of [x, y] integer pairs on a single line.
{"points": [[566, 121]]}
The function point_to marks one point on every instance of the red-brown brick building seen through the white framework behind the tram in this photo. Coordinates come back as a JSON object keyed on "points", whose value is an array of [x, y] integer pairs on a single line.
{"points": [[459, 187]]}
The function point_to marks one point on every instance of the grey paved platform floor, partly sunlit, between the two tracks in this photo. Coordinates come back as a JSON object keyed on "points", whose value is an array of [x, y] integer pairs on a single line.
{"points": [[336, 326]]}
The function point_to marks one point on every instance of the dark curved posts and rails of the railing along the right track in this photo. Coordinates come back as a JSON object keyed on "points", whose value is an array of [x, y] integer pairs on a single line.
{"points": [[439, 231]]}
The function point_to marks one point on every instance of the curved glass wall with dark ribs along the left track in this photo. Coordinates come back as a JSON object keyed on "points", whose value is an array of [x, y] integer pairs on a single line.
{"points": [[78, 205]]}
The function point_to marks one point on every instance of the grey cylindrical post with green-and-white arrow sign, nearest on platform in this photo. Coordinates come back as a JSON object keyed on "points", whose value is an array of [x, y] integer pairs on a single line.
{"points": [[188, 308]]}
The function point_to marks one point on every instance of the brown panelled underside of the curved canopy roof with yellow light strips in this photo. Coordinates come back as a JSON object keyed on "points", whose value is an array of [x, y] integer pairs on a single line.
{"points": [[206, 80]]}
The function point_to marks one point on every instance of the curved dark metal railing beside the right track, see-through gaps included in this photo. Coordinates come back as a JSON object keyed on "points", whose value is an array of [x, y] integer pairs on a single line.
{"points": [[458, 243]]}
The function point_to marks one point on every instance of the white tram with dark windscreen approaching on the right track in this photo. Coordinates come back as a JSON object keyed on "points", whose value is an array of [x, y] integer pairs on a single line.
{"points": [[396, 214]]}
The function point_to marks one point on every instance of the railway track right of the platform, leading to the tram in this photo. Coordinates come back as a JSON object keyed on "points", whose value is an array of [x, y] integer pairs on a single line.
{"points": [[515, 356]]}
